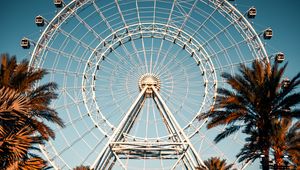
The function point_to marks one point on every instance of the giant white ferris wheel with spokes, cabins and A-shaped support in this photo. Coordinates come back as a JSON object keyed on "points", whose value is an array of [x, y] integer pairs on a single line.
{"points": [[134, 76]]}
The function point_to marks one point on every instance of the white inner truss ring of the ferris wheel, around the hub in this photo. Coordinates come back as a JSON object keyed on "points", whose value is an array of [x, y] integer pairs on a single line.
{"points": [[165, 34]]}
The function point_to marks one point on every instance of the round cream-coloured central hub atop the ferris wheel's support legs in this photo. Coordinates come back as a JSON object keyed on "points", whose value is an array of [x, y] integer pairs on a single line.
{"points": [[150, 80]]}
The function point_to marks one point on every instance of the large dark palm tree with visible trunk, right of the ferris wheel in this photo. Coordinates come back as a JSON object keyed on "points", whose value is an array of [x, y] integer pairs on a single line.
{"points": [[255, 99]]}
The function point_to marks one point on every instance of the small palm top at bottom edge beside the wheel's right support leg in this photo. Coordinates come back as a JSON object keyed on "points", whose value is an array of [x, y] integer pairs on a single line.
{"points": [[215, 163]]}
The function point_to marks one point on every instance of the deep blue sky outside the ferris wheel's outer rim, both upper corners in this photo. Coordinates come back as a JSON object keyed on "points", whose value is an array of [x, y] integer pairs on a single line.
{"points": [[17, 21]]}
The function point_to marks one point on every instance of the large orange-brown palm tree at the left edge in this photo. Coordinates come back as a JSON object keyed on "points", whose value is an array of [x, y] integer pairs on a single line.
{"points": [[24, 108]]}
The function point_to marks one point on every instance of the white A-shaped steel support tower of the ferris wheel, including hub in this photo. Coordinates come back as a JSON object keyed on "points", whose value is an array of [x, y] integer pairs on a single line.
{"points": [[177, 147]]}
